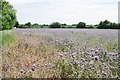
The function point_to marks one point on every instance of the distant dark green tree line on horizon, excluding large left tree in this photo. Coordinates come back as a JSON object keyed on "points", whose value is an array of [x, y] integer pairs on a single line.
{"points": [[102, 25]]}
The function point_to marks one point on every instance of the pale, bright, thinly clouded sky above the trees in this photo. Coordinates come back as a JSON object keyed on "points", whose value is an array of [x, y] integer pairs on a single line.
{"points": [[65, 11]]}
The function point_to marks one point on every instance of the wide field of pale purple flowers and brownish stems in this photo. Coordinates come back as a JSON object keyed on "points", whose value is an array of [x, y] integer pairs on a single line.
{"points": [[61, 53]]}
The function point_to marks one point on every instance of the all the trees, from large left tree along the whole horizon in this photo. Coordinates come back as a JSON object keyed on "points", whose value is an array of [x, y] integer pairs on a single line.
{"points": [[8, 21]]}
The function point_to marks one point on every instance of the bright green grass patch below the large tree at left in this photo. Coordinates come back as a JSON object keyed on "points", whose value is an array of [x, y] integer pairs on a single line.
{"points": [[7, 37]]}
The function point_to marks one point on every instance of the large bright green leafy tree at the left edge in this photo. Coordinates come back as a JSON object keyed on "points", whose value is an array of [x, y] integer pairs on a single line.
{"points": [[8, 15]]}
